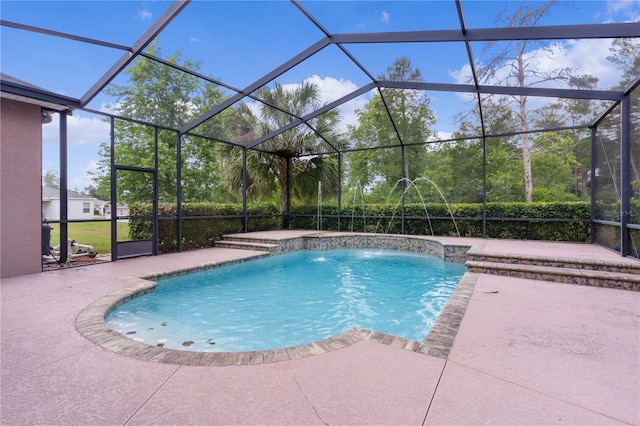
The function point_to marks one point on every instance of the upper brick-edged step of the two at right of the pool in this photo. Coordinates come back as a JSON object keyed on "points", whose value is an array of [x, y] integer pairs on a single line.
{"points": [[592, 265]]}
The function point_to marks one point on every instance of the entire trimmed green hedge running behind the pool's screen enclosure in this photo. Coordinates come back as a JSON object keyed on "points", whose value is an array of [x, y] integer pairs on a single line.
{"points": [[527, 220]]}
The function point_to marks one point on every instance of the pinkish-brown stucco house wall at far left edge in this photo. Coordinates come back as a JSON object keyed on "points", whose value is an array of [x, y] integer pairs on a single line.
{"points": [[20, 188]]}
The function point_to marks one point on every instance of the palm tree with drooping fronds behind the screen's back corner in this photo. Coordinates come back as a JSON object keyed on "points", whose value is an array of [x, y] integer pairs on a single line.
{"points": [[291, 163]]}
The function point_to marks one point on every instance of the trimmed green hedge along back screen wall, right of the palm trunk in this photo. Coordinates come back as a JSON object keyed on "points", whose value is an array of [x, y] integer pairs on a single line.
{"points": [[527, 220]]}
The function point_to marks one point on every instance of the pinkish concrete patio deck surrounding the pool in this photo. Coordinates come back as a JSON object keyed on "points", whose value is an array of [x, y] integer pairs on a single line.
{"points": [[526, 352]]}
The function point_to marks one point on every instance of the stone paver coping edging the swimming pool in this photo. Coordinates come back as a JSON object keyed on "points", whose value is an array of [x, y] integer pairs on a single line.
{"points": [[91, 324]]}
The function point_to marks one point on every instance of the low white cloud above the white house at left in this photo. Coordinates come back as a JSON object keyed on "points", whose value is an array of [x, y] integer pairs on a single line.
{"points": [[81, 131]]}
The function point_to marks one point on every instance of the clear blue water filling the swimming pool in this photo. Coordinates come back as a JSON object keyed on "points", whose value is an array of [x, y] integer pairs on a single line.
{"points": [[292, 299]]}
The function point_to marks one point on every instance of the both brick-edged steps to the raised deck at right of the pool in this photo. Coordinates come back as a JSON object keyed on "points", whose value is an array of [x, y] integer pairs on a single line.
{"points": [[597, 273]]}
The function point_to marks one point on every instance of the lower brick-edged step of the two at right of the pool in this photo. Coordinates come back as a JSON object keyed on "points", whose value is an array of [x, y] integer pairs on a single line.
{"points": [[596, 278]]}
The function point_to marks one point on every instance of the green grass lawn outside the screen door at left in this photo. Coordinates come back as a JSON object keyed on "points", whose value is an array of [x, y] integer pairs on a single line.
{"points": [[96, 234]]}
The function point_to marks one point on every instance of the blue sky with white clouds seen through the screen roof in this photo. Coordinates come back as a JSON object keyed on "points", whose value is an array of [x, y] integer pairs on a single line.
{"points": [[238, 42]]}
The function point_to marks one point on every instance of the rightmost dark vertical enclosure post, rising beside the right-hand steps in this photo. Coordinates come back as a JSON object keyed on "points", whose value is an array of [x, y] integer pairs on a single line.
{"points": [[625, 176]]}
